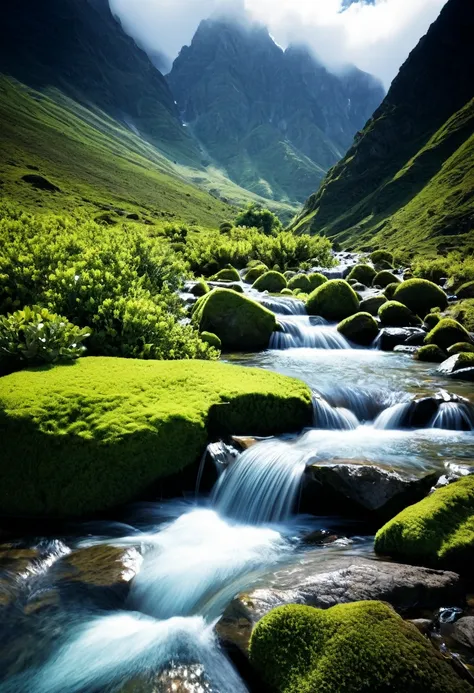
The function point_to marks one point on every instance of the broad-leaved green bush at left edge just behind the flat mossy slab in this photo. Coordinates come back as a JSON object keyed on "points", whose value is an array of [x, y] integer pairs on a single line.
{"points": [[34, 336]]}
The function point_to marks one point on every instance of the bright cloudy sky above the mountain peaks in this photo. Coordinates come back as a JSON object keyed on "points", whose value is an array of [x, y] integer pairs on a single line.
{"points": [[375, 35]]}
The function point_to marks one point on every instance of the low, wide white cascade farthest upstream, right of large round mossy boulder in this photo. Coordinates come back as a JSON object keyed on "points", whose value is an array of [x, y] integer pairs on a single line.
{"points": [[309, 333]]}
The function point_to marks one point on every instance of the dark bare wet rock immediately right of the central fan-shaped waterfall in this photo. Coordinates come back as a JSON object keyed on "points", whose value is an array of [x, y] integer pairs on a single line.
{"points": [[348, 487]]}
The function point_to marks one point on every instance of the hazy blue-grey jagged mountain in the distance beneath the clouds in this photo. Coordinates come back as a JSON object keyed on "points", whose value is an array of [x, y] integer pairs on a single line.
{"points": [[275, 120]]}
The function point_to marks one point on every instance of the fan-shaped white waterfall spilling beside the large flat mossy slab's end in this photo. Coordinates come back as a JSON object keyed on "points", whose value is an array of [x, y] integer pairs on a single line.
{"points": [[262, 485]]}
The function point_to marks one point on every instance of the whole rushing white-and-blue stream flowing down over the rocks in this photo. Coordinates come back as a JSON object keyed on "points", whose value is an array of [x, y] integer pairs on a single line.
{"points": [[200, 553]]}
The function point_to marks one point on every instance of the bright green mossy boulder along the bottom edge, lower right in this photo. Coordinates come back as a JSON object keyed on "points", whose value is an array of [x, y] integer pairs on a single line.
{"points": [[362, 647]]}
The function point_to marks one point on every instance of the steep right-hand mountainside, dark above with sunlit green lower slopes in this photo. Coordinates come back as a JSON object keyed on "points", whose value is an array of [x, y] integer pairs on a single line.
{"points": [[407, 182]]}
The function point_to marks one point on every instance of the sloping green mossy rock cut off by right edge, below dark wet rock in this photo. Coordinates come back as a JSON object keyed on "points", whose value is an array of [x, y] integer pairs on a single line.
{"points": [[439, 530]]}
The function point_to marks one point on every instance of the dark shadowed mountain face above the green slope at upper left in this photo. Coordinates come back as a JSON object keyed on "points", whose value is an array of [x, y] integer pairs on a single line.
{"points": [[78, 47]]}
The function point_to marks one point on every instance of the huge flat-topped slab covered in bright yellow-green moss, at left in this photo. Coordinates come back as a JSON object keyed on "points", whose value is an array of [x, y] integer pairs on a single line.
{"points": [[90, 436]]}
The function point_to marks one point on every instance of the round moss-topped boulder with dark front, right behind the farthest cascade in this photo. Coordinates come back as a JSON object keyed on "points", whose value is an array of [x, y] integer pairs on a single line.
{"points": [[333, 300]]}
